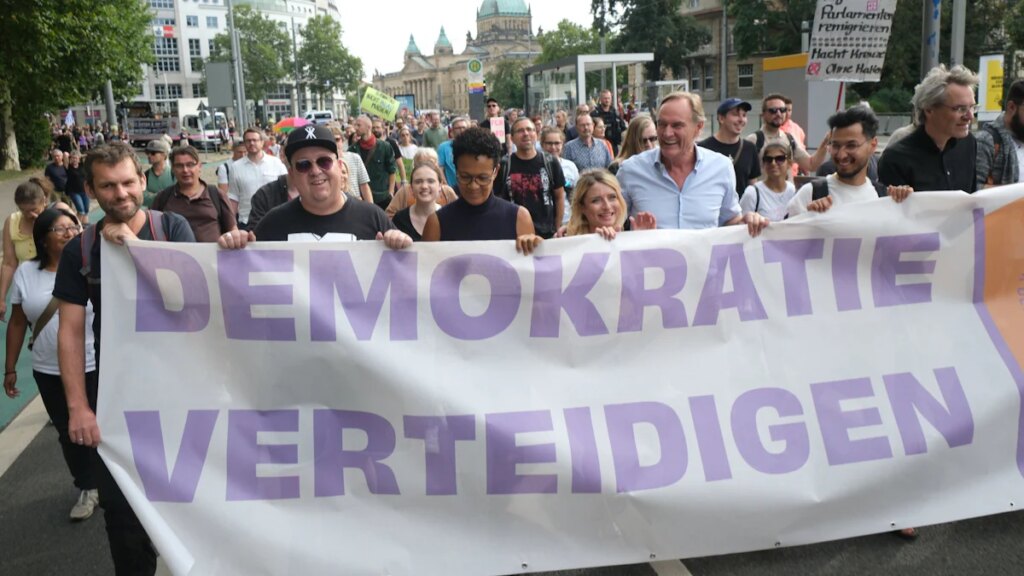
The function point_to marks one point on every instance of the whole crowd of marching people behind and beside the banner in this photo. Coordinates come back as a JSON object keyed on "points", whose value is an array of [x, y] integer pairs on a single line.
{"points": [[506, 178]]}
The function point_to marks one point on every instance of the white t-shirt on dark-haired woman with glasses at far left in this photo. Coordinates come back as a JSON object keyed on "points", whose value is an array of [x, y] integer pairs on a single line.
{"points": [[33, 290]]}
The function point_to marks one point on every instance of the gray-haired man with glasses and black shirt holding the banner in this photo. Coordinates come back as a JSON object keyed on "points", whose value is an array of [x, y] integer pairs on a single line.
{"points": [[942, 152]]}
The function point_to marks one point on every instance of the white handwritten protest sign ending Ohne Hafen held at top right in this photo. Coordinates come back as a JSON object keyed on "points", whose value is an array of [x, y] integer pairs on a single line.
{"points": [[849, 40]]}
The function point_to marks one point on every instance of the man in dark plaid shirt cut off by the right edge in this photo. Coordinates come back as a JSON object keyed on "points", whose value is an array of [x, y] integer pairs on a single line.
{"points": [[1001, 143]]}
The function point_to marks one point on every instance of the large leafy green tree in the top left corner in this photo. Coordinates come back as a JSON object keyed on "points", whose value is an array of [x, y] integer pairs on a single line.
{"points": [[56, 54]]}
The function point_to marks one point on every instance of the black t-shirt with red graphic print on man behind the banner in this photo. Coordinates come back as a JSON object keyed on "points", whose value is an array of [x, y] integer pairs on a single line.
{"points": [[528, 184]]}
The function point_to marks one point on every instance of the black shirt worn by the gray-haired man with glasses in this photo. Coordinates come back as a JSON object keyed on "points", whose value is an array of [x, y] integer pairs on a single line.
{"points": [[916, 161]]}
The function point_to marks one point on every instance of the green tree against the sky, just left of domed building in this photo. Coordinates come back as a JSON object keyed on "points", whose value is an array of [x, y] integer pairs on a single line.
{"points": [[326, 63]]}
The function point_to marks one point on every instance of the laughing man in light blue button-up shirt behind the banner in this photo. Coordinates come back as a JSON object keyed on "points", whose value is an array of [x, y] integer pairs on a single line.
{"points": [[685, 186]]}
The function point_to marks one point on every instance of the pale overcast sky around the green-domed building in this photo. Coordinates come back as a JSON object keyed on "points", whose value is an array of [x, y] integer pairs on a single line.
{"points": [[382, 47]]}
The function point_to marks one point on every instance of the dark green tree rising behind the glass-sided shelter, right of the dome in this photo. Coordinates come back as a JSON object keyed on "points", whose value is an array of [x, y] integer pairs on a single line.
{"points": [[652, 26]]}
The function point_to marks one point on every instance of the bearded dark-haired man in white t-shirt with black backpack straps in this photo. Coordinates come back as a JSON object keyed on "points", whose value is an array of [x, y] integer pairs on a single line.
{"points": [[854, 143]]}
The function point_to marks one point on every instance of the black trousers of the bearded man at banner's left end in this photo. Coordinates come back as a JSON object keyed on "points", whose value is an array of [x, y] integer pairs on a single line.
{"points": [[131, 547]]}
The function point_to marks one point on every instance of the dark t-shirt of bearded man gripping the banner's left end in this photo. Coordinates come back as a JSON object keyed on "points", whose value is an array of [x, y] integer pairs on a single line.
{"points": [[71, 286]]}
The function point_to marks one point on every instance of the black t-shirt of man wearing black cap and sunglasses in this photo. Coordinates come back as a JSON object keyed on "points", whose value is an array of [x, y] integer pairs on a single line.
{"points": [[362, 220]]}
